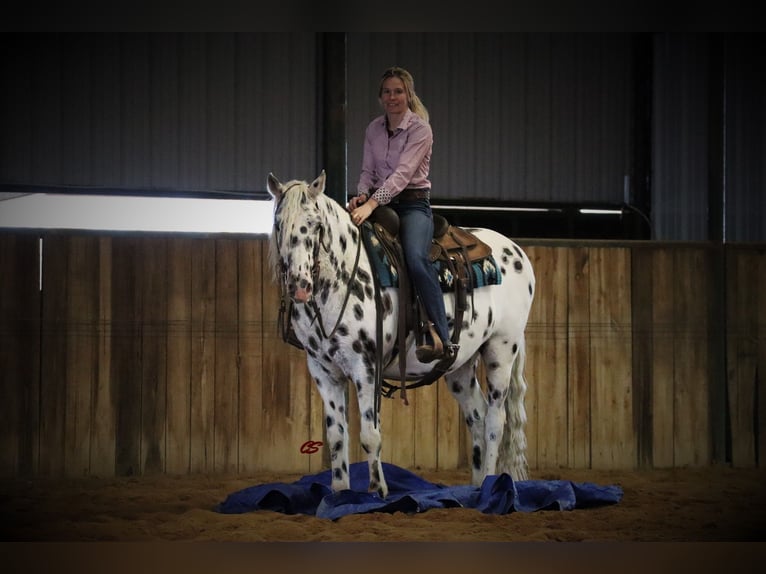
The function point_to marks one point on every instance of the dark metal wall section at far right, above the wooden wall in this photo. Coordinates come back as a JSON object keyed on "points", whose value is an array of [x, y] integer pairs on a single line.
{"points": [[683, 136]]}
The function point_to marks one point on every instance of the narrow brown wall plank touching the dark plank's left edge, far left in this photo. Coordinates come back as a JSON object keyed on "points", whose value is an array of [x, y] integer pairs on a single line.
{"points": [[104, 407]]}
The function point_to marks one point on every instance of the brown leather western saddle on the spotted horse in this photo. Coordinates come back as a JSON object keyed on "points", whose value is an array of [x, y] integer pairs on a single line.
{"points": [[456, 248]]}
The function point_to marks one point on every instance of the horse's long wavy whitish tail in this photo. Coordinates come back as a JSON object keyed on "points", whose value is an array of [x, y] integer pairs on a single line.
{"points": [[512, 457]]}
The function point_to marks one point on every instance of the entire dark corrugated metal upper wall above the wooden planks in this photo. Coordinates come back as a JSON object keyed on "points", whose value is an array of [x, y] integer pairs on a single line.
{"points": [[517, 117]]}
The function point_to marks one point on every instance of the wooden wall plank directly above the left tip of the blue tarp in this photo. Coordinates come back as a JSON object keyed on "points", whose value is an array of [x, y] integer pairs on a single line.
{"points": [[226, 377]]}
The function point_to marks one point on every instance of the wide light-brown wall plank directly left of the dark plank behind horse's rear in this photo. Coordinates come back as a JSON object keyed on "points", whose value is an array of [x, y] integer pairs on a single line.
{"points": [[613, 443]]}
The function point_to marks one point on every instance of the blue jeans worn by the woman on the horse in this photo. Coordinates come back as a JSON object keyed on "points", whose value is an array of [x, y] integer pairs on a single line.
{"points": [[416, 230]]}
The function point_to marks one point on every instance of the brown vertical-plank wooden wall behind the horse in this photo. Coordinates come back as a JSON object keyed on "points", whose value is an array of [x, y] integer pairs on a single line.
{"points": [[150, 354]]}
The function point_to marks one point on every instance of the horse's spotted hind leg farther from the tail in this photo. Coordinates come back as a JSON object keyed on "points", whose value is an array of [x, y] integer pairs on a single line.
{"points": [[465, 387]]}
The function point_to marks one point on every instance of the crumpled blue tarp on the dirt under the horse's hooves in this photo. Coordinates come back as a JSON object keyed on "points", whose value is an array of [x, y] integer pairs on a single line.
{"points": [[409, 493]]}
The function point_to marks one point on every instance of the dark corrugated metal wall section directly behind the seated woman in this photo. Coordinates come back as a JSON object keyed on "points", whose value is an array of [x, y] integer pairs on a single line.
{"points": [[517, 117]]}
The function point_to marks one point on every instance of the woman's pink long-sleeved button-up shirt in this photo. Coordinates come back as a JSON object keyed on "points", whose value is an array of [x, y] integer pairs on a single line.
{"points": [[391, 164]]}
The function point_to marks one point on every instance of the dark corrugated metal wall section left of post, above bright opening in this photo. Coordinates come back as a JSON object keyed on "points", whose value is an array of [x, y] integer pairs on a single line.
{"points": [[185, 112]]}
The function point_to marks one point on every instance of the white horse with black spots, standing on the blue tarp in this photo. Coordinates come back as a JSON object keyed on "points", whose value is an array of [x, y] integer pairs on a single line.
{"points": [[316, 254]]}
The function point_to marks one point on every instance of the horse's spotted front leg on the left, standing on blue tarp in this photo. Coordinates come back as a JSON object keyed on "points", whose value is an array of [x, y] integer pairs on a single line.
{"points": [[334, 398]]}
